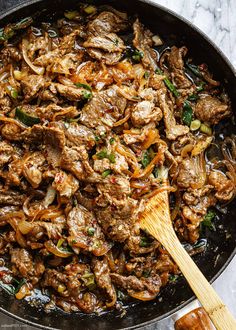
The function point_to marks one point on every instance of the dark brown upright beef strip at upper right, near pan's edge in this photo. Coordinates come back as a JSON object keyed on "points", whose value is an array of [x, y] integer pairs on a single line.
{"points": [[176, 64]]}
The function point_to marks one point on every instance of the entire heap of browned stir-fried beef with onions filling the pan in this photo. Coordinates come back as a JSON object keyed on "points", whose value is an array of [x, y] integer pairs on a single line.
{"points": [[92, 120]]}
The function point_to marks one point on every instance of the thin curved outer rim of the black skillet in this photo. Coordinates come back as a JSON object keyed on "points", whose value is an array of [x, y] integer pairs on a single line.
{"points": [[216, 49]]}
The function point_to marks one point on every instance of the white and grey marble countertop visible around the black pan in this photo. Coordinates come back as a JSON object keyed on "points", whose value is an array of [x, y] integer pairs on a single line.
{"points": [[217, 19]]}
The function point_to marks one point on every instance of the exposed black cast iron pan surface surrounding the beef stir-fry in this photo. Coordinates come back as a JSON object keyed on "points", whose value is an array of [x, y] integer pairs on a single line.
{"points": [[221, 244]]}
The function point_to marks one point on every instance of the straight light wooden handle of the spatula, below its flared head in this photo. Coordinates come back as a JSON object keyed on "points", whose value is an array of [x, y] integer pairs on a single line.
{"points": [[213, 305]]}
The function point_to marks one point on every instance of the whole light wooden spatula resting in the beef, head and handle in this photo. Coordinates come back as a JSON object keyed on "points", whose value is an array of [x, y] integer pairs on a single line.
{"points": [[156, 220]]}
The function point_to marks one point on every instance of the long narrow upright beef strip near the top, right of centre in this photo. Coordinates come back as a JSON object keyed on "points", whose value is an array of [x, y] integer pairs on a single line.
{"points": [[143, 42]]}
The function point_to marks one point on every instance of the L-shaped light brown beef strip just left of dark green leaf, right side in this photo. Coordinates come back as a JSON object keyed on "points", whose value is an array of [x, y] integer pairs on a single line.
{"points": [[172, 129]]}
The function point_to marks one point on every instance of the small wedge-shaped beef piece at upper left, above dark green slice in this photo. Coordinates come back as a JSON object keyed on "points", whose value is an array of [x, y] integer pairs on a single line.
{"points": [[31, 84]]}
